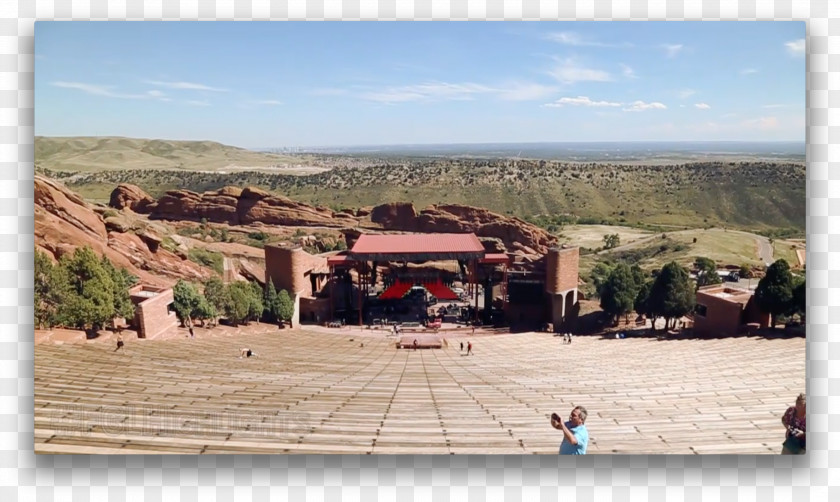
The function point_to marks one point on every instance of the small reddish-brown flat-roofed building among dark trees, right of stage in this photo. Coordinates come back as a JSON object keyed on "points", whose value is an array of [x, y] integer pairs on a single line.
{"points": [[726, 311]]}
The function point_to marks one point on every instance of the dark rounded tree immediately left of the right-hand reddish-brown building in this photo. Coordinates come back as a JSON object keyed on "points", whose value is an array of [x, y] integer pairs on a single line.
{"points": [[671, 295]]}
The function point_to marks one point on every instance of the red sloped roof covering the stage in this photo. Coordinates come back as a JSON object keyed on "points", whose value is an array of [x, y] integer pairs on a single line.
{"points": [[417, 247]]}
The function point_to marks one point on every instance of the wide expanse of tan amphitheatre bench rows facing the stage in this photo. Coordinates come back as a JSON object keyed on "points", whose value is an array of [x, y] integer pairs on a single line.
{"points": [[310, 392]]}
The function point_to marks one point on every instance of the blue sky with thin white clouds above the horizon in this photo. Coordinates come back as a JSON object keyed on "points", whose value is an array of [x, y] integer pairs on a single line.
{"points": [[348, 83]]}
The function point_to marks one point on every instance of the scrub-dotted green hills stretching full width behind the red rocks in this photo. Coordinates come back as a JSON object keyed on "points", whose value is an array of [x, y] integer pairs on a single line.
{"points": [[760, 196]]}
